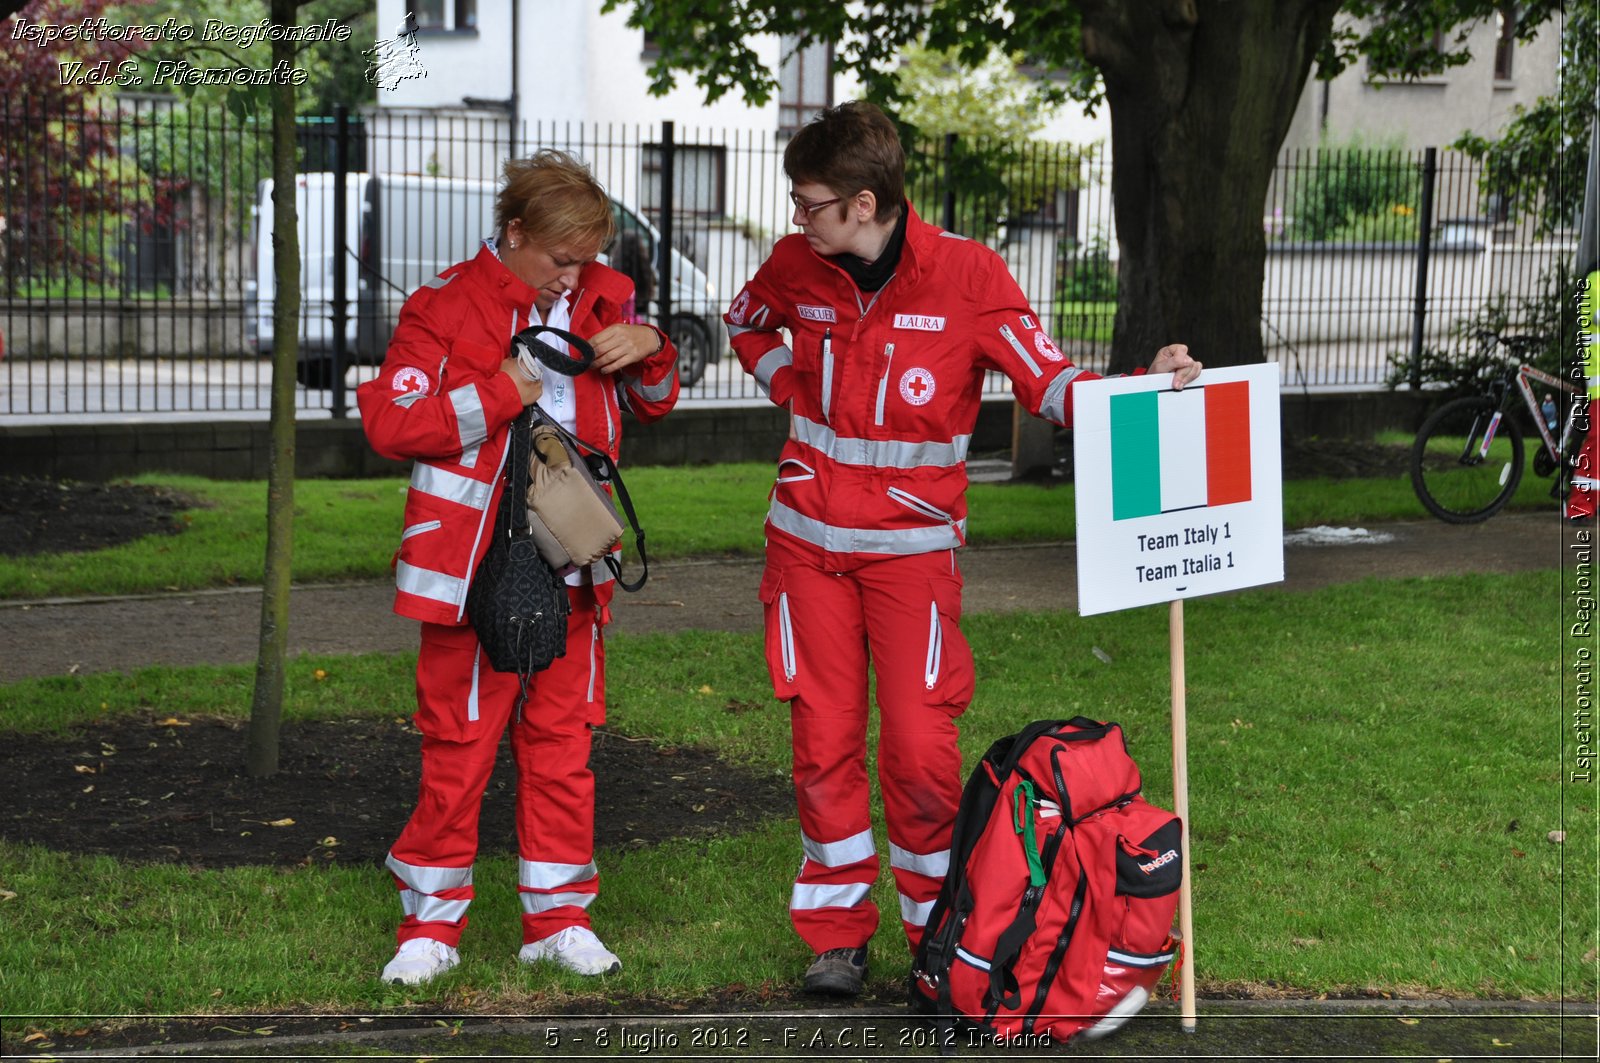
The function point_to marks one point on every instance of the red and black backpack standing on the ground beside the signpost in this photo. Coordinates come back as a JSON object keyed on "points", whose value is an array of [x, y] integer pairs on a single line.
{"points": [[1057, 915]]}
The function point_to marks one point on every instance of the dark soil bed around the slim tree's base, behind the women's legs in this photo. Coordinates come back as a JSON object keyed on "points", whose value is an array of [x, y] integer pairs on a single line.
{"points": [[151, 788]]}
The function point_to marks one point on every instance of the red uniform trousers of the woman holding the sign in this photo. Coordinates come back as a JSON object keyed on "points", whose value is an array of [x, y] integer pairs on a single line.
{"points": [[823, 628]]}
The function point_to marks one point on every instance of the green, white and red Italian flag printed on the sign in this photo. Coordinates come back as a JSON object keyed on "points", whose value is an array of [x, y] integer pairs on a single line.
{"points": [[1180, 449]]}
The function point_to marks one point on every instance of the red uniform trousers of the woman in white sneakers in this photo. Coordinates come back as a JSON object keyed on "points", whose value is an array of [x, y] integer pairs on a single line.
{"points": [[463, 710]]}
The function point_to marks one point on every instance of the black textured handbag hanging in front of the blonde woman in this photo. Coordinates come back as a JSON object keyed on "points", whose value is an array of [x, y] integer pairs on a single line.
{"points": [[518, 604]]}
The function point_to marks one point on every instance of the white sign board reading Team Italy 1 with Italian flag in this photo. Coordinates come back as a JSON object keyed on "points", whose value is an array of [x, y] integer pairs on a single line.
{"points": [[1180, 494]]}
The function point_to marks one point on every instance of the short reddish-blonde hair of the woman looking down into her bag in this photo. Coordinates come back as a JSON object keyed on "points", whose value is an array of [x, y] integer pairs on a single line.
{"points": [[556, 199]]}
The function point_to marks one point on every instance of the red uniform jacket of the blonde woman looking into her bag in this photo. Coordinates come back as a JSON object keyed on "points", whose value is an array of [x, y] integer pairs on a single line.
{"points": [[442, 401]]}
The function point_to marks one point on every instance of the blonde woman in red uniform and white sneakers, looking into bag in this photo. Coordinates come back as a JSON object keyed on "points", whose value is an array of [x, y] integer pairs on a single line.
{"points": [[446, 398]]}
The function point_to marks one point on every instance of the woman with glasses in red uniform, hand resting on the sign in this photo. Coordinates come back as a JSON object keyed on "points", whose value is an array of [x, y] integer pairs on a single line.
{"points": [[894, 324]]}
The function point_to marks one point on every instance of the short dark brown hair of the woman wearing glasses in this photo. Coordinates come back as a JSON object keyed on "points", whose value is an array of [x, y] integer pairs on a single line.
{"points": [[852, 148]]}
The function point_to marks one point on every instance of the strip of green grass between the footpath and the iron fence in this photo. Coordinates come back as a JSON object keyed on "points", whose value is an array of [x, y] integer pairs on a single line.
{"points": [[350, 529]]}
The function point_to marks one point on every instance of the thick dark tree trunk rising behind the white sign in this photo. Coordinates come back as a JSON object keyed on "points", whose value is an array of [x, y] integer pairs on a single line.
{"points": [[1202, 94]]}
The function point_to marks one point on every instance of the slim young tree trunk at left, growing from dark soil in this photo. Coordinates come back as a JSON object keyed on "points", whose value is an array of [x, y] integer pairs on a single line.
{"points": [[266, 705]]}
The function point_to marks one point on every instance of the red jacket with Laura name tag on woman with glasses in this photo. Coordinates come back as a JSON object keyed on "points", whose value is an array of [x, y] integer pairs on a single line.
{"points": [[886, 387]]}
